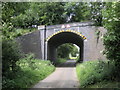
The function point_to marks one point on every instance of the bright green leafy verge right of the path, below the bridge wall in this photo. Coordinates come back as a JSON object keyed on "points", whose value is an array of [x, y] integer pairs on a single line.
{"points": [[91, 72]]}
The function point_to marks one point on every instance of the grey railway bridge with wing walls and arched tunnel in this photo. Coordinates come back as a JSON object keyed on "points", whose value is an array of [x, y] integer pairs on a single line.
{"points": [[44, 42]]}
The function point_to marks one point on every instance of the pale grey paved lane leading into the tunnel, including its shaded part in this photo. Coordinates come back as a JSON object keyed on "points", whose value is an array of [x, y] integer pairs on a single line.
{"points": [[63, 77]]}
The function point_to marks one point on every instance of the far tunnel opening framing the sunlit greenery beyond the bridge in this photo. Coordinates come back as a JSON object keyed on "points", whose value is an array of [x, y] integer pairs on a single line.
{"points": [[68, 51]]}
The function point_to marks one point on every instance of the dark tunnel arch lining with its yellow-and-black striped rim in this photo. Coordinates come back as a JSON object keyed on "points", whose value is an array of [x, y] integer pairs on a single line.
{"points": [[63, 37]]}
